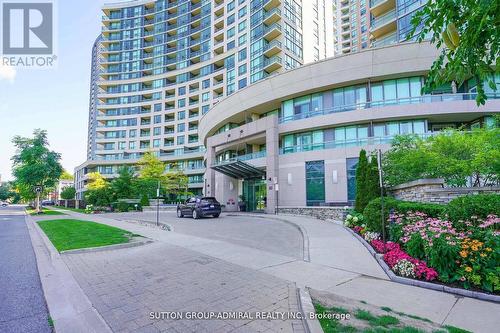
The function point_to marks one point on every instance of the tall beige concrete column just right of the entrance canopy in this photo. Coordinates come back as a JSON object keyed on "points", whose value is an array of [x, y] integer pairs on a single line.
{"points": [[272, 162]]}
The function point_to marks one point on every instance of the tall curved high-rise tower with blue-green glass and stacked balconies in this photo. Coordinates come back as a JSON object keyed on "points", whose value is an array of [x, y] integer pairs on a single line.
{"points": [[159, 65]]}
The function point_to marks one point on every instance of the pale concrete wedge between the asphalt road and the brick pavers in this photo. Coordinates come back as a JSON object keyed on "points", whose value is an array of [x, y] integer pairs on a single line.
{"points": [[69, 306]]}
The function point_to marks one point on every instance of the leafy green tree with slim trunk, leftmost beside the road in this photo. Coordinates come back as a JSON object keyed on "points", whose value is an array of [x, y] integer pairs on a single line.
{"points": [[34, 164]]}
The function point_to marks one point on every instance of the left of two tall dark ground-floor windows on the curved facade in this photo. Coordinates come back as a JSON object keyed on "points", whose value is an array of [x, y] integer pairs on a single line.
{"points": [[315, 183]]}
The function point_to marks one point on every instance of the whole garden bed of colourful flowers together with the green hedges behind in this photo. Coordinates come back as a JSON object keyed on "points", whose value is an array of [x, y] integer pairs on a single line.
{"points": [[456, 244]]}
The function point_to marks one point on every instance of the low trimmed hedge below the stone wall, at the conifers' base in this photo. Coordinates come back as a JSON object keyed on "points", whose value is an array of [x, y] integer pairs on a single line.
{"points": [[372, 211]]}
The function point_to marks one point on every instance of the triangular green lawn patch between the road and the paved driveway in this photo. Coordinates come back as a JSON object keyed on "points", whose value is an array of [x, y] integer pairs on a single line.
{"points": [[69, 234]]}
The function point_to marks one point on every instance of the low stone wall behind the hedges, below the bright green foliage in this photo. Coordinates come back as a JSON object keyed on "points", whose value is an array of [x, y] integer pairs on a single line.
{"points": [[433, 190]]}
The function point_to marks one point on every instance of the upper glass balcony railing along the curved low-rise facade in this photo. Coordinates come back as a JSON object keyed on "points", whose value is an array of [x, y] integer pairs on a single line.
{"points": [[399, 101]]}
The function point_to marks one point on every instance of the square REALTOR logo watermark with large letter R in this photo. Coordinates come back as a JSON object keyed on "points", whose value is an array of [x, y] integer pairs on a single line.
{"points": [[28, 30]]}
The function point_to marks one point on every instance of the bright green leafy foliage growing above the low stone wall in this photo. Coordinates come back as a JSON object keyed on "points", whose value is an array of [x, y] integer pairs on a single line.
{"points": [[454, 155]]}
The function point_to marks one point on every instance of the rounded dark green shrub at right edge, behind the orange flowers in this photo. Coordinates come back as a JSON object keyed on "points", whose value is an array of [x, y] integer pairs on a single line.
{"points": [[465, 207]]}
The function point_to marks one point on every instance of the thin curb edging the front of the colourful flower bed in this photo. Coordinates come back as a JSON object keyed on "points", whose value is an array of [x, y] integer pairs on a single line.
{"points": [[422, 284]]}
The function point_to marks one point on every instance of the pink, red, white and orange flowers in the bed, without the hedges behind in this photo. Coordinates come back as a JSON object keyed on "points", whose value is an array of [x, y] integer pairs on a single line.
{"points": [[431, 249]]}
